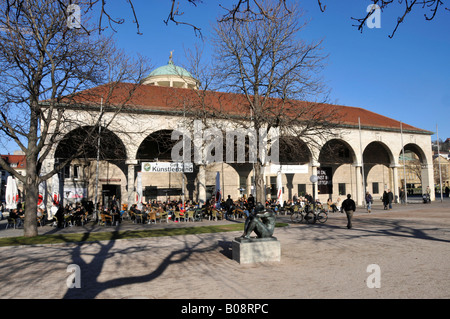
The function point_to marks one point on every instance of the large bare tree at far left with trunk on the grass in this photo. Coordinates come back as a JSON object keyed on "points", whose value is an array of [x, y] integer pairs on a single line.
{"points": [[43, 64]]}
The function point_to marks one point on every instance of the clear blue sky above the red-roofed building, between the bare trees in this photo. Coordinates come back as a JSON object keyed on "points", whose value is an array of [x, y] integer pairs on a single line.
{"points": [[406, 78]]}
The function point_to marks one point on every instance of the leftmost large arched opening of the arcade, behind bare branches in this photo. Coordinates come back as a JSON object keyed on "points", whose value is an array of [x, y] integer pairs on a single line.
{"points": [[77, 181]]}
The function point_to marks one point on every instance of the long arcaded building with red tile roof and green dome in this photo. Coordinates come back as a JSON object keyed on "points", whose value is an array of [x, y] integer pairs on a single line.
{"points": [[368, 154]]}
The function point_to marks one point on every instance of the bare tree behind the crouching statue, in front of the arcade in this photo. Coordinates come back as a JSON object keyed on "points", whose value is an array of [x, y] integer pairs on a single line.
{"points": [[267, 73]]}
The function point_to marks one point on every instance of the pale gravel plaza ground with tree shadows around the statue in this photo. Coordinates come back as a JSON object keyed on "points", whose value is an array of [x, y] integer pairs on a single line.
{"points": [[409, 246]]}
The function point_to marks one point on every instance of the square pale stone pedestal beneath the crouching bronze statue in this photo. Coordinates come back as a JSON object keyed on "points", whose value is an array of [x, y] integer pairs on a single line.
{"points": [[254, 250]]}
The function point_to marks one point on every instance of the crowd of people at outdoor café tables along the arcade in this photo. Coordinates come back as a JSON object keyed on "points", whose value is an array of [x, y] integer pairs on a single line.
{"points": [[77, 213]]}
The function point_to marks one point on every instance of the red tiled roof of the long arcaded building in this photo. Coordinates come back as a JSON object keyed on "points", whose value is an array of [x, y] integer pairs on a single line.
{"points": [[158, 98]]}
